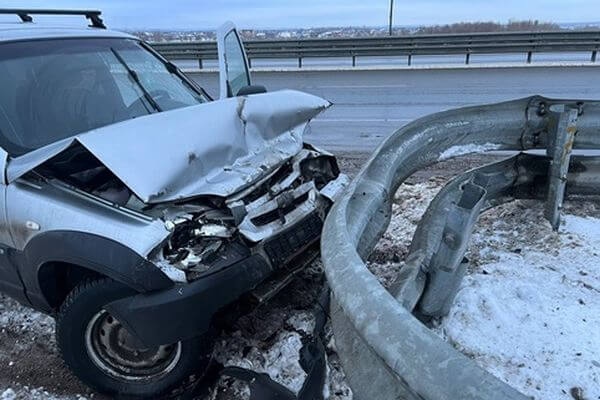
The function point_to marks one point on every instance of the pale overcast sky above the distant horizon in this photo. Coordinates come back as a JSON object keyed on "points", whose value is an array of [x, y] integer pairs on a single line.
{"points": [[207, 14]]}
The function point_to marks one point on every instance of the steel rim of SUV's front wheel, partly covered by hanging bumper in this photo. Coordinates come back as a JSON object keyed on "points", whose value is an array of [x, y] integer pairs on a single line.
{"points": [[114, 350]]}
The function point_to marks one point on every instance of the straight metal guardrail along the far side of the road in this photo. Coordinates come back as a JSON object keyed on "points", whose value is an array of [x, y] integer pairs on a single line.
{"points": [[467, 44]]}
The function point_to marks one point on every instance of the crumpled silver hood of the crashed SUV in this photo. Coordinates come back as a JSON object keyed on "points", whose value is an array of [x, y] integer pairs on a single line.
{"points": [[215, 148]]}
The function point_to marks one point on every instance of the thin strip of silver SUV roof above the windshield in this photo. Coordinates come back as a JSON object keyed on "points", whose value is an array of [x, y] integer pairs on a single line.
{"points": [[31, 31]]}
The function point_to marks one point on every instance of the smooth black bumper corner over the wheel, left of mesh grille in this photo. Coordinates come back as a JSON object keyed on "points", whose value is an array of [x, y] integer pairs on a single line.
{"points": [[185, 311]]}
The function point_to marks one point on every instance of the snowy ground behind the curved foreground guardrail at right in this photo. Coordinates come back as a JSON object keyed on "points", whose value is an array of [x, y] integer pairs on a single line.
{"points": [[529, 308]]}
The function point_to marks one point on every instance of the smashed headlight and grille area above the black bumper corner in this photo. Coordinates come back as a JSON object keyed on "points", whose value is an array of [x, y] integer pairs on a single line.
{"points": [[277, 217]]}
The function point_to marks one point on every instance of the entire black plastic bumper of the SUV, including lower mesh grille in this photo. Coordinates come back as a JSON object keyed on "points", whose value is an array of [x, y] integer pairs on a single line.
{"points": [[186, 310]]}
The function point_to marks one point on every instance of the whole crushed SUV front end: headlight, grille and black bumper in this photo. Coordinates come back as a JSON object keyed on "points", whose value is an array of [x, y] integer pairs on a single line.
{"points": [[251, 243]]}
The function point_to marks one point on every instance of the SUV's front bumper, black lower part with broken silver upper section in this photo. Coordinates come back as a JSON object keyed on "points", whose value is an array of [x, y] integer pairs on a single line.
{"points": [[187, 309]]}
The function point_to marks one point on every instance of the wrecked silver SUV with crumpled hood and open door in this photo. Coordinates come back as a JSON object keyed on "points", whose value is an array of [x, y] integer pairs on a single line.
{"points": [[135, 209]]}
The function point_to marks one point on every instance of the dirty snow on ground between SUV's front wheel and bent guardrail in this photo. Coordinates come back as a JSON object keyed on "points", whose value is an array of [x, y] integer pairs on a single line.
{"points": [[269, 339]]}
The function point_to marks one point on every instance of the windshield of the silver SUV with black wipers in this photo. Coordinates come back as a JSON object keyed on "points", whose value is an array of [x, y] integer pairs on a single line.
{"points": [[54, 89]]}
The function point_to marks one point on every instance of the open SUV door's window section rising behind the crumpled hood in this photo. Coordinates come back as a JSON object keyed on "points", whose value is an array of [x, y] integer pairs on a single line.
{"points": [[234, 72]]}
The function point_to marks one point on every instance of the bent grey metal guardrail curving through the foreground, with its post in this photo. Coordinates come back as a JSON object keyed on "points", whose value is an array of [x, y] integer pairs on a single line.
{"points": [[386, 351]]}
